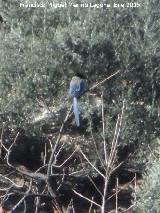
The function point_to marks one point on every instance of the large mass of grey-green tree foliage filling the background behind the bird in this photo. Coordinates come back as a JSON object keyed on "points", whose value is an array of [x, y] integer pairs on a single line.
{"points": [[43, 48]]}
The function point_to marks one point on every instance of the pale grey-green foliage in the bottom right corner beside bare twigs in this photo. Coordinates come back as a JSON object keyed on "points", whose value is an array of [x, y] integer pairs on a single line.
{"points": [[148, 196]]}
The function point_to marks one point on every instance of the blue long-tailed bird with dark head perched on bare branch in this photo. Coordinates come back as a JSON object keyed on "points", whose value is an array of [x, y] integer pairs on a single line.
{"points": [[76, 89]]}
